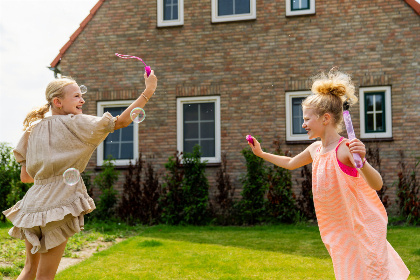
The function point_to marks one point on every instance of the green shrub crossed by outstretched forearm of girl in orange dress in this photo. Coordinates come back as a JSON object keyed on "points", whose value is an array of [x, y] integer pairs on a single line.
{"points": [[281, 204]]}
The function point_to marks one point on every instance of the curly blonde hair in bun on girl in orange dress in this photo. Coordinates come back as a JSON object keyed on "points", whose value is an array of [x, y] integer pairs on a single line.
{"points": [[329, 92]]}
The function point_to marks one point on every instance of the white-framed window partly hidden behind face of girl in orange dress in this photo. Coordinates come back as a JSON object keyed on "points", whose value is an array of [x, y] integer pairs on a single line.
{"points": [[294, 116]]}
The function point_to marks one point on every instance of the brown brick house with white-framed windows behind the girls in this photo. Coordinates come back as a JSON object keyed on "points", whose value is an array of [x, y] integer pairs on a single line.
{"points": [[231, 68]]}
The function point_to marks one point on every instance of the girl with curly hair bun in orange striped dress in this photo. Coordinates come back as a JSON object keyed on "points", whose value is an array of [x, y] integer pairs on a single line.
{"points": [[351, 218]]}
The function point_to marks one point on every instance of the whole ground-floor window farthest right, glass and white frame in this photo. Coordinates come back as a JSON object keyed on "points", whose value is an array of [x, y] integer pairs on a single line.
{"points": [[375, 112]]}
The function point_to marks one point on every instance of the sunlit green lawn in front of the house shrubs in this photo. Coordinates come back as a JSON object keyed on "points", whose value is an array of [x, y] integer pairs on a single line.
{"points": [[261, 252]]}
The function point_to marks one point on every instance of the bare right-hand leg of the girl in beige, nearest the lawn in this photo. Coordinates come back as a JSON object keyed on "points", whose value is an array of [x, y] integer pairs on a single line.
{"points": [[49, 262]]}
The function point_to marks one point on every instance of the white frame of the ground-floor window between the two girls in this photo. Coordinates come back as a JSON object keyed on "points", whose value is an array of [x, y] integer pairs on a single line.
{"points": [[180, 128]]}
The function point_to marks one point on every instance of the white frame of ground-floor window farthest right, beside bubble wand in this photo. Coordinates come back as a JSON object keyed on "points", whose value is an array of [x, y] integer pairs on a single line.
{"points": [[388, 112]]}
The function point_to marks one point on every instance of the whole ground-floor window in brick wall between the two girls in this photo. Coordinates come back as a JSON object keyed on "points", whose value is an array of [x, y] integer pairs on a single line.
{"points": [[198, 121]]}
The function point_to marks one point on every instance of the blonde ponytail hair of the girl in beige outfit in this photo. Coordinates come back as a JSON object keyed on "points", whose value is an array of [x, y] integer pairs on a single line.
{"points": [[54, 89]]}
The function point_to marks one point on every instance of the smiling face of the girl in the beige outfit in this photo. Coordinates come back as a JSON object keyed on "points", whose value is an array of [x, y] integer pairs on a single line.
{"points": [[71, 102]]}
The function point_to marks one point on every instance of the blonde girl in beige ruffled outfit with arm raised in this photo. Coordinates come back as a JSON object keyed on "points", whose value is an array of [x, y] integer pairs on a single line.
{"points": [[51, 211]]}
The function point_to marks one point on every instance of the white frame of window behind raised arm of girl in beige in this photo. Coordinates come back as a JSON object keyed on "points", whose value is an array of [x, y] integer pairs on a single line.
{"points": [[101, 105]]}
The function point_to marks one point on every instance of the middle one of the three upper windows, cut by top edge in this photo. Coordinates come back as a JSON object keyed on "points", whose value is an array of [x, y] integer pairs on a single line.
{"points": [[233, 10]]}
